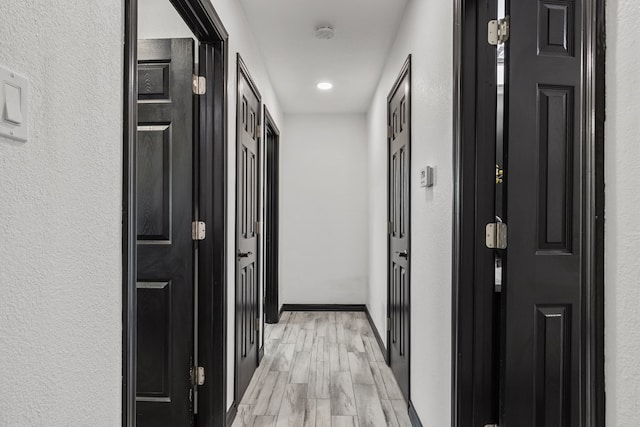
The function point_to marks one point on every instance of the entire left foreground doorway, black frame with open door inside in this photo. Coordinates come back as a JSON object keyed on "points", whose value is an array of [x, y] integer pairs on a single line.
{"points": [[174, 214]]}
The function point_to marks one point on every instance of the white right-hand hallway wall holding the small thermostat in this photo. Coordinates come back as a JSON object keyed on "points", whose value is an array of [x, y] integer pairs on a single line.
{"points": [[426, 32]]}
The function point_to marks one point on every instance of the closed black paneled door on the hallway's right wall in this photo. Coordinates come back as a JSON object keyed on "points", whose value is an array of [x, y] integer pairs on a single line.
{"points": [[399, 125]]}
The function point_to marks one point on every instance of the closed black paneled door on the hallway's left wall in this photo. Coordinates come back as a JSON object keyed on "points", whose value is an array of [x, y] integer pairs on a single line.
{"points": [[247, 315]]}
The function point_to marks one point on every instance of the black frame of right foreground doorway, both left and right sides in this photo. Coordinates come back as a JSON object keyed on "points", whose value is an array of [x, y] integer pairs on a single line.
{"points": [[466, 394]]}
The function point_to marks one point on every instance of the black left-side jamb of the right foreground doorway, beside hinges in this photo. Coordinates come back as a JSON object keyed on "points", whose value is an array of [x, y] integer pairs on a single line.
{"points": [[472, 394]]}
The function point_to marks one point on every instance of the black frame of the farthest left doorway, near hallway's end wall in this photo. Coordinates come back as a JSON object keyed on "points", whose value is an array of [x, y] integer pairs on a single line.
{"points": [[271, 309]]}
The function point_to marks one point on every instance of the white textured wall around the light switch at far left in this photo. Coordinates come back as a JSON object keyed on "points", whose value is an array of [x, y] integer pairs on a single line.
{"points": [[60, 217]]}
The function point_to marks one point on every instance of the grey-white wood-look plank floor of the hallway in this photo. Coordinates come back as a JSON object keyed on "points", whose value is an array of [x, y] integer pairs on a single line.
{"points": [[322, 369]]}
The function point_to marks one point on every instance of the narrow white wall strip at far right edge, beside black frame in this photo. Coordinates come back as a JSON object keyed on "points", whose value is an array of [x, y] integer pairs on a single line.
{"points": [[622, 240]]}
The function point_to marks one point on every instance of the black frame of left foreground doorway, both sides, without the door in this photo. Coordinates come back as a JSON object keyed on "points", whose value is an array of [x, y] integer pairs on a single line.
{"points": [[204, 22]]}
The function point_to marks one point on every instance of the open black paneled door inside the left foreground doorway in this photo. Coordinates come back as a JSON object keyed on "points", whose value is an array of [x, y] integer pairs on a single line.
{"points": [[164, 214]]}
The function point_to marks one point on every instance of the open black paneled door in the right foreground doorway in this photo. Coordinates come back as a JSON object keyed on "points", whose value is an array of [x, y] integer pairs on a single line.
{"points": [[544, 370]]}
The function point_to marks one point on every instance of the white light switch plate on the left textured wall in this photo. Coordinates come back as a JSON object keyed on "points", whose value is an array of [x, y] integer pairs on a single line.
{"points": [[14, 105]]}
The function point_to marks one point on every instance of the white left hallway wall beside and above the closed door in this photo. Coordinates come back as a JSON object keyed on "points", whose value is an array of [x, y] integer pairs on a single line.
{"points": [[242, 40]]}
